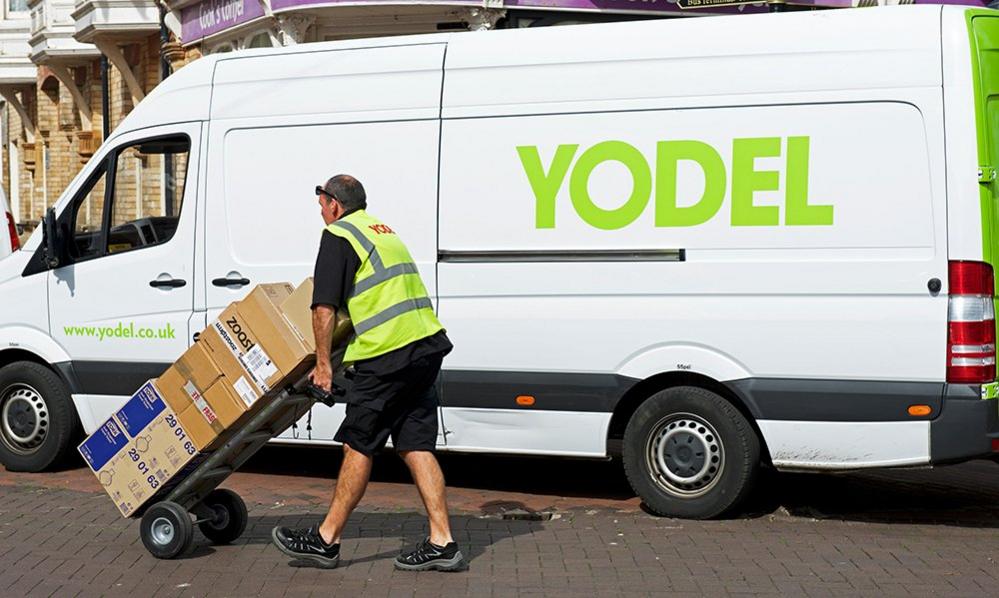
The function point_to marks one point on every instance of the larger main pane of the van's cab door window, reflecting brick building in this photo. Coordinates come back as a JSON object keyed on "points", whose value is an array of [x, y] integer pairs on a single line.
{"points": [[148, 193]]}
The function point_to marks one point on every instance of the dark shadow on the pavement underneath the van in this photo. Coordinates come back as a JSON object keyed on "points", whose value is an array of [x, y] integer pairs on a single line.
{"points": [[959, 495]]}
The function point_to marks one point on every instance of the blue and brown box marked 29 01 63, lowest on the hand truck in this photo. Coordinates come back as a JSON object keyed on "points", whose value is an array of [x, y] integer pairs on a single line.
{"points": [[138, 450]]}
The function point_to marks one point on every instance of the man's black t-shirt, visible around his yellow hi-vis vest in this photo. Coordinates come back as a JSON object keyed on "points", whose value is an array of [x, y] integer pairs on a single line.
{"points": [[336, 266]]}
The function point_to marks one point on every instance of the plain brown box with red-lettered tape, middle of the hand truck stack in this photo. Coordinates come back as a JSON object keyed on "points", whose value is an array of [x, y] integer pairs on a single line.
{"points": [[196, 389]]}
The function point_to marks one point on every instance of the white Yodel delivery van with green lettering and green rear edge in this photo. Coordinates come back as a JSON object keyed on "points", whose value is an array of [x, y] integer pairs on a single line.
{"points": [[705, 245]]}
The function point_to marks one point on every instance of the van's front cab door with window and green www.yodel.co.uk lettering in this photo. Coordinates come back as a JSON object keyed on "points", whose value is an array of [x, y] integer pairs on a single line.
{"points": [[122, 304]]}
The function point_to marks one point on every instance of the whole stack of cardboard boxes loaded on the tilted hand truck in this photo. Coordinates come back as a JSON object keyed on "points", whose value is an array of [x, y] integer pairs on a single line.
{"points": [[257, 347]]}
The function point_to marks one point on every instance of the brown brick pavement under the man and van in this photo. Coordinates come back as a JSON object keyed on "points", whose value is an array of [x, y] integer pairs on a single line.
{"points": [[913, 533]]}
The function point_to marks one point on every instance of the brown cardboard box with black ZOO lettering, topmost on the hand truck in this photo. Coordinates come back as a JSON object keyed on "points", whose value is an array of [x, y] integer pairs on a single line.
{"points": [[253, 340]]}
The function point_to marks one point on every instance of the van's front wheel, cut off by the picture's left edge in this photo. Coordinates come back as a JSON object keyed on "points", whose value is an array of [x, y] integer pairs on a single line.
{"points": [[37, 422]]}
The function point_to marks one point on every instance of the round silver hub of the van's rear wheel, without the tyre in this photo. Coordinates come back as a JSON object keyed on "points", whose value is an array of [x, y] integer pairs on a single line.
{"points": [[685, 455]]}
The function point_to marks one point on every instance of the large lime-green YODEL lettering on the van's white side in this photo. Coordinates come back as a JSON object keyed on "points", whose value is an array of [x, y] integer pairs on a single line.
{"points": [[661, 180]]}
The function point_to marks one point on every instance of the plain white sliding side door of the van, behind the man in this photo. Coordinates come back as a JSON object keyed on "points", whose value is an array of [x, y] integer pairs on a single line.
{"points": [[372, 113]]}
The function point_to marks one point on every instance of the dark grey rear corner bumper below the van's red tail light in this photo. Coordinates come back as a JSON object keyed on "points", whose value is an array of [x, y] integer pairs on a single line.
{"points": [[966, 427]]}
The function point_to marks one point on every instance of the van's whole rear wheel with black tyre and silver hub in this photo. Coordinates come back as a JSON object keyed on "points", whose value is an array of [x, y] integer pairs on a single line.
{"points": [[690, 453]]}
